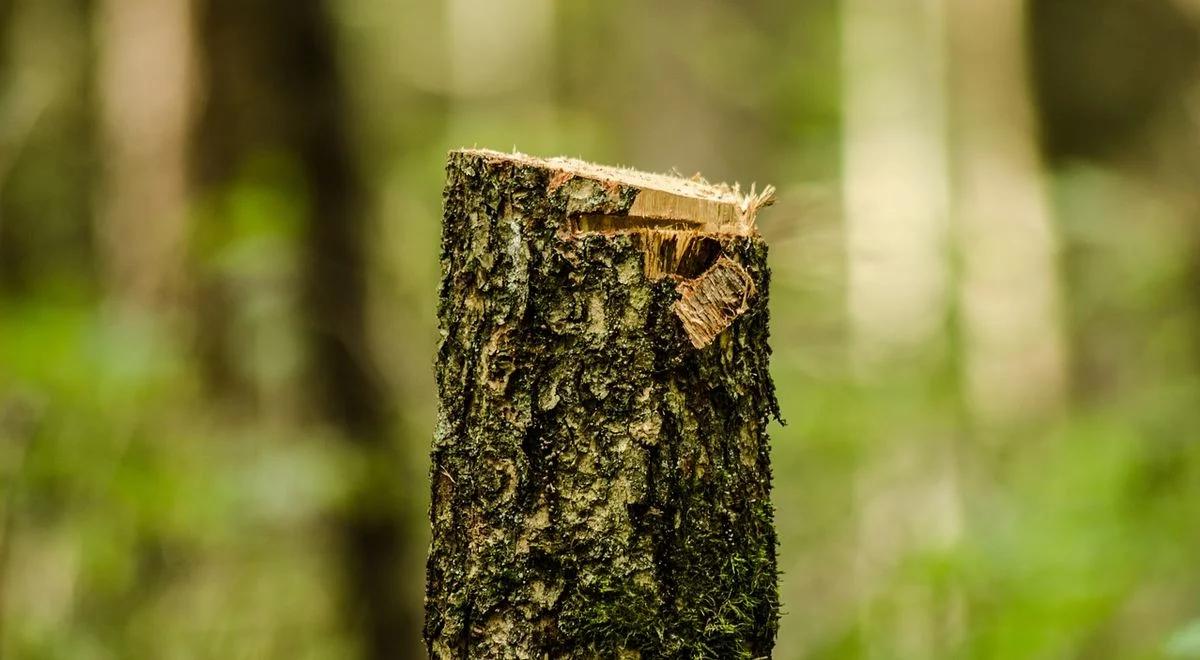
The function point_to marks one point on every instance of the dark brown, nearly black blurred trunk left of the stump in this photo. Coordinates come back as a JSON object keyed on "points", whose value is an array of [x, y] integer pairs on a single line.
{"points": [[274, 88]]}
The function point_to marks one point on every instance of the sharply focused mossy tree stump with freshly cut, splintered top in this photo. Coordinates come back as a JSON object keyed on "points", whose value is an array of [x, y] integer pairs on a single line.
{"points": [[602, 472]]}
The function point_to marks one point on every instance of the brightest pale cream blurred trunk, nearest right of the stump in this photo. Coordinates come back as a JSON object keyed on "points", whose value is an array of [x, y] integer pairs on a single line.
{"points": [[896, 176]]}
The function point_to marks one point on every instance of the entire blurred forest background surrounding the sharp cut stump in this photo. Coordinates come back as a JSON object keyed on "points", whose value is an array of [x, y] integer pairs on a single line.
{"points": [[179, 477]]}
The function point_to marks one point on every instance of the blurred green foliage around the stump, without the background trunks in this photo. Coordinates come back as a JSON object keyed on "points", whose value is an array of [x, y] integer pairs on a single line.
{"points": [[143, 515]]}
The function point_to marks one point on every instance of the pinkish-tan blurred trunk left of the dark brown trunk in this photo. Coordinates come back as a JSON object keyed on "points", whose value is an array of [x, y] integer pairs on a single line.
{"points": [[146, 89]]}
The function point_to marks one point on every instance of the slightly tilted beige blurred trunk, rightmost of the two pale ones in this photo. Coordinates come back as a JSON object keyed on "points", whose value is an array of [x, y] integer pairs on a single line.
{"points": [[1010, 296]]}
